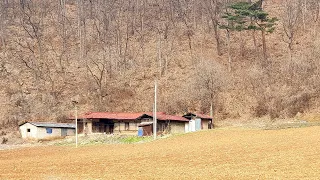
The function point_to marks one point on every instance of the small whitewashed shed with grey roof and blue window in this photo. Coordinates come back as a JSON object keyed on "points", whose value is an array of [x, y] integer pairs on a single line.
{"points": [[46, 130]]}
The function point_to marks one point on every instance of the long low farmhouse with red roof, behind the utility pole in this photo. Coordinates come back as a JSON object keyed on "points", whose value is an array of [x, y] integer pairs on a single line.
{"points": [[129, 123]]}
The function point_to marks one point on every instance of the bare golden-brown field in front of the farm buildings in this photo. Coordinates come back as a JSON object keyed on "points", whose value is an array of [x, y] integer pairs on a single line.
{"points": [[218, 154]]}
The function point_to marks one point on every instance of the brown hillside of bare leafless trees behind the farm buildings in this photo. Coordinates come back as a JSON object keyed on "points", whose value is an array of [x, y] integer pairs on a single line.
{"points": [[107, 54]]}
